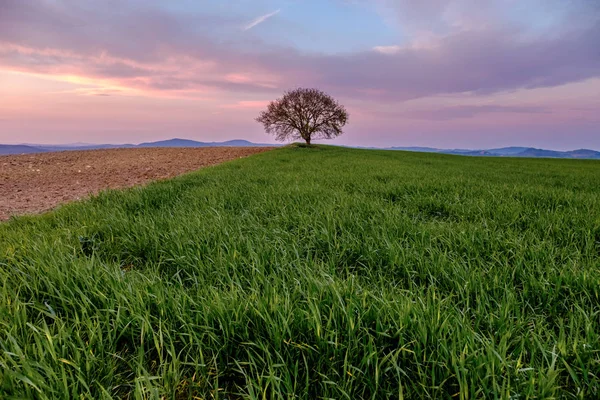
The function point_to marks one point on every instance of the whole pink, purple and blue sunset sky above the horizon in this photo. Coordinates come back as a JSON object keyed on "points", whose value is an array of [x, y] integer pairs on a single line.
{"points": [[441, 73]]}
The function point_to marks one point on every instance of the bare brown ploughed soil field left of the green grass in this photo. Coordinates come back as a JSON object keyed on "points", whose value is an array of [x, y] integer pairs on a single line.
{"points": [[34, 183]]}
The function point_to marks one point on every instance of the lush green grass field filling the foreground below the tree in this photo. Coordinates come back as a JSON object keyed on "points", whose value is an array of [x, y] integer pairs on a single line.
{"points": [[313, 273]]}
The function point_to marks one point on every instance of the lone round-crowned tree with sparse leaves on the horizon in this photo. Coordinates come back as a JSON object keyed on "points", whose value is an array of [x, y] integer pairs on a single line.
{"points": [[304, 114]]}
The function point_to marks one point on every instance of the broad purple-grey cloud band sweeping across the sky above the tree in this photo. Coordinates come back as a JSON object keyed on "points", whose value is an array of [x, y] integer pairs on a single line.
{"points": [[133, 46]]}
